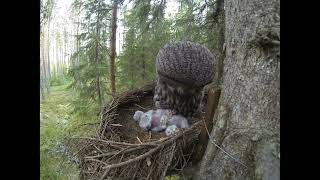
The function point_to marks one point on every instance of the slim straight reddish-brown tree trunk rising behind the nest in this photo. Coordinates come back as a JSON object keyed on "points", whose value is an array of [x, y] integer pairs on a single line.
{"points": [[113, 47]]}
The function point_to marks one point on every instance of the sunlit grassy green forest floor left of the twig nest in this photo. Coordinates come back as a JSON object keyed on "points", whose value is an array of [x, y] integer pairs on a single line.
{"points": [[56, 114]]}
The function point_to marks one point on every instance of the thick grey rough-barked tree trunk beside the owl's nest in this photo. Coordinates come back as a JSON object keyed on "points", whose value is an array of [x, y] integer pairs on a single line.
{"points": [[247, 120]]}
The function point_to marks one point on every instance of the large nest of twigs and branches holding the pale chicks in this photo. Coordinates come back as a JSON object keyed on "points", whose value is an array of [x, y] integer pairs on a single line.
{"points": [[122, 150]]}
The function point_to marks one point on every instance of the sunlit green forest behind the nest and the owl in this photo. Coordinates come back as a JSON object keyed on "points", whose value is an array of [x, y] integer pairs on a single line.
{"points": [[91, 50]]}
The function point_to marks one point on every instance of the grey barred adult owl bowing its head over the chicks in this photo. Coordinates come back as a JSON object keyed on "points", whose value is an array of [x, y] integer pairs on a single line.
{"points": [[183, 69]]}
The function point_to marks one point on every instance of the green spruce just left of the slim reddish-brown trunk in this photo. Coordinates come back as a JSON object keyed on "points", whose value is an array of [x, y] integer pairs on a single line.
{"points": [[91, 76]]}
